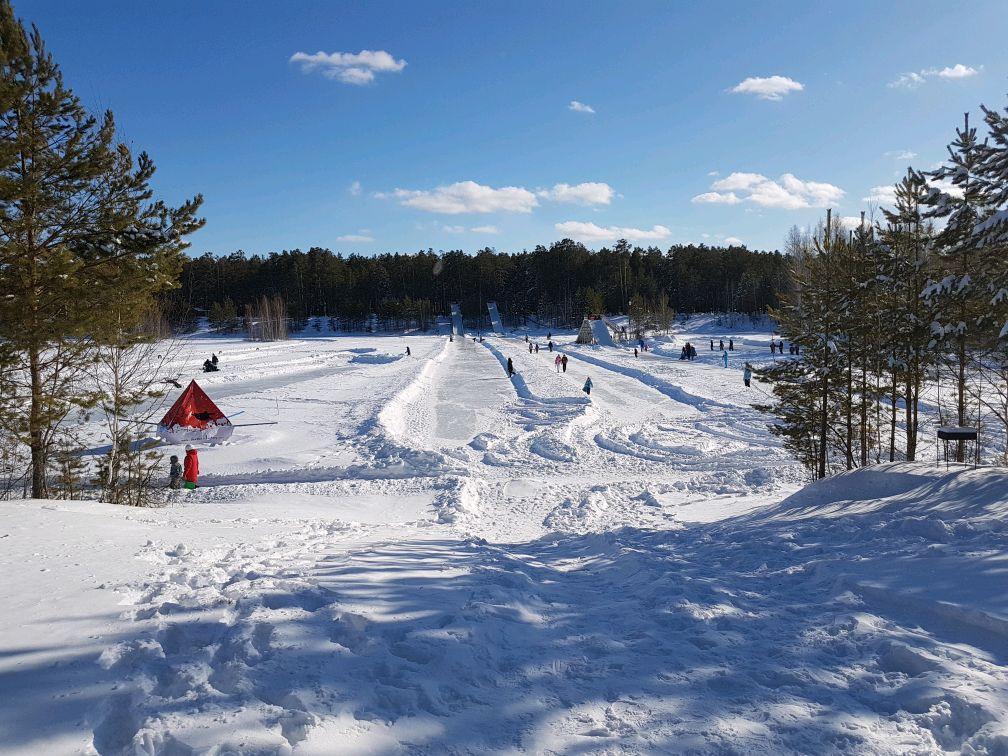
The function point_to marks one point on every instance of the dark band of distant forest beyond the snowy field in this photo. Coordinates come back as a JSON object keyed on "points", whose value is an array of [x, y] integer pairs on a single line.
{"points": [[557, 285]]}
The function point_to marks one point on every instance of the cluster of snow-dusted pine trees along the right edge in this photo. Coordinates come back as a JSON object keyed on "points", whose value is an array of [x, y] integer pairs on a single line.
{"points": [[914, 308]]}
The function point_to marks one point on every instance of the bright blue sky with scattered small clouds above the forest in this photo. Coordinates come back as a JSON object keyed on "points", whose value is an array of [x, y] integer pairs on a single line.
{"points": [[460, 133]]}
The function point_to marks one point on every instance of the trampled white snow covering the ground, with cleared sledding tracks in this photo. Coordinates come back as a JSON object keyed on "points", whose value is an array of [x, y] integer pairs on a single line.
{"points": [[425, 557]]}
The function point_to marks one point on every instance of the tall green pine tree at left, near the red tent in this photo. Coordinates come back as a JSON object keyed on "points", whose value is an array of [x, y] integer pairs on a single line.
{"points": [[77, 223]]}
